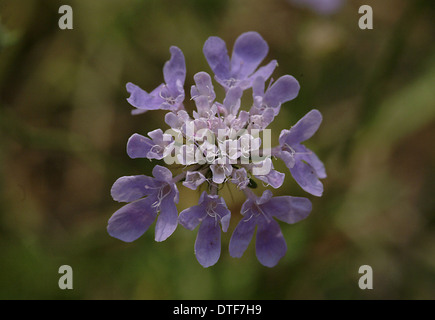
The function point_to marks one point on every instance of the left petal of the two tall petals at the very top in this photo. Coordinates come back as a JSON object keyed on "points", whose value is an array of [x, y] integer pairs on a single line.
{"points": [[215, 51]]}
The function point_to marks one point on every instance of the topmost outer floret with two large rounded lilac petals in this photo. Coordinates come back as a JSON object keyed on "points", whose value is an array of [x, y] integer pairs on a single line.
{"points": [[241, 70]]}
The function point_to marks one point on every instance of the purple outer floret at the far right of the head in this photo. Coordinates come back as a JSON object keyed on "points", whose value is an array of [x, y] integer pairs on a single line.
{"points": [[304, 165]]}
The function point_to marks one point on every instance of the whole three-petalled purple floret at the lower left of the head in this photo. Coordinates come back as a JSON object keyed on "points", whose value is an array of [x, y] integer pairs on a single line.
{"points": [[133, 219]]}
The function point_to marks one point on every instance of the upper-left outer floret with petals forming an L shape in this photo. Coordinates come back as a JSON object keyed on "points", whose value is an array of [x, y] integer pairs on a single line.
{"points": [[168, 95]]}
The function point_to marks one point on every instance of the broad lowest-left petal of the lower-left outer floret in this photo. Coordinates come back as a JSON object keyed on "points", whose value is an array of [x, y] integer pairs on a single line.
{"points": [[132, 220]]}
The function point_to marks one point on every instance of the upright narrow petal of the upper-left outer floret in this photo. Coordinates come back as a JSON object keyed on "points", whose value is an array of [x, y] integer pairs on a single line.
{"points": [[174, 71]]}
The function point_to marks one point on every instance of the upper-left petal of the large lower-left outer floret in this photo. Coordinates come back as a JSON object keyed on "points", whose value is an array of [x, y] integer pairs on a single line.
{"points": [[130, 188]]}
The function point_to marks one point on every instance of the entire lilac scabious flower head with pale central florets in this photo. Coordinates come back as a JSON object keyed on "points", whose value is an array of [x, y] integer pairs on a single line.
{"points": [[219, 143]]}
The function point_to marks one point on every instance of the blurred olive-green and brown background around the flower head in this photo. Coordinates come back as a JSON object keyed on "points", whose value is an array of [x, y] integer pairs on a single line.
{"points": [[65, 121]]}
